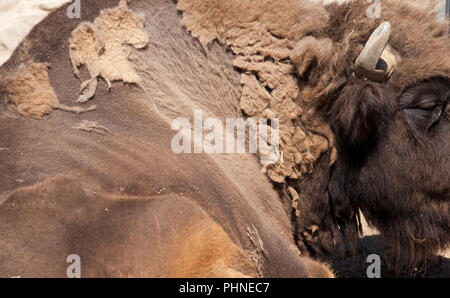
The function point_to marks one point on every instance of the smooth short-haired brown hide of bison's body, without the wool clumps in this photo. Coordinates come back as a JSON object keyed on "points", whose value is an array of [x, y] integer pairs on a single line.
{"points": [[123, 200]]}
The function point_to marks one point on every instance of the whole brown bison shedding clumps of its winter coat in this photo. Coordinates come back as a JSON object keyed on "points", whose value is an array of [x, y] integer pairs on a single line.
{"points": [[364, 125]]}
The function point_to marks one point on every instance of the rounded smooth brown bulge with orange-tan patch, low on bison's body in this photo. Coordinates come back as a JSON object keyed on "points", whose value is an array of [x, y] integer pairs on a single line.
{"points": [[104, 229]]}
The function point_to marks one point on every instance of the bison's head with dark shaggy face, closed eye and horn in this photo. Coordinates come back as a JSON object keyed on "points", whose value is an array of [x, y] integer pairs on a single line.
{"points": [[383, 87]]}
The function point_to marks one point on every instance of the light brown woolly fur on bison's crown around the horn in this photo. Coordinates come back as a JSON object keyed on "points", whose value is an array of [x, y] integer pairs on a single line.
{"points": [[420, 46]]}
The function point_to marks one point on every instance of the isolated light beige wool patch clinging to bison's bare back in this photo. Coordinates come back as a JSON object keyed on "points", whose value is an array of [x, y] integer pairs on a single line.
{"points": [[102, 47]]}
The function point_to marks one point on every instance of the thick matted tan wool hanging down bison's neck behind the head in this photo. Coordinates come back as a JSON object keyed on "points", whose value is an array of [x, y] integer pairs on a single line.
{"points": [[262, 35]]}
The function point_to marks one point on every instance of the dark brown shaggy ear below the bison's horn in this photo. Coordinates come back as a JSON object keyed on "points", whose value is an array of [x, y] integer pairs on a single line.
{"points": [[357, 116]]}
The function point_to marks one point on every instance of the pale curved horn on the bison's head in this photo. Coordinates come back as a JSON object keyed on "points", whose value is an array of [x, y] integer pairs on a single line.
{"points": [[377, 60]]}
